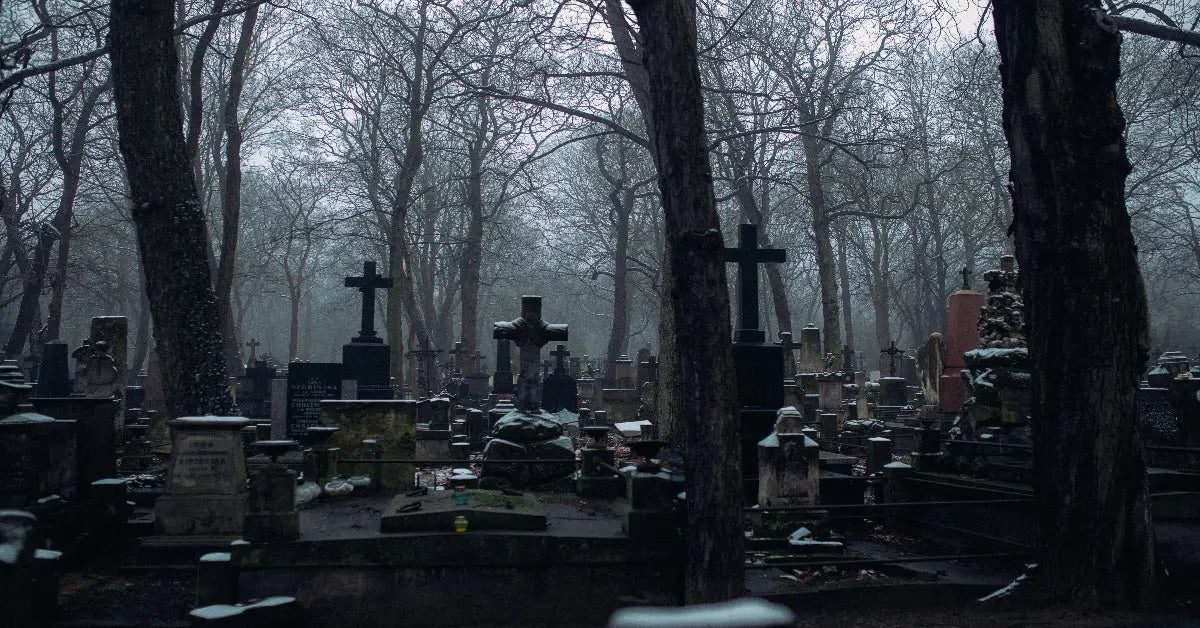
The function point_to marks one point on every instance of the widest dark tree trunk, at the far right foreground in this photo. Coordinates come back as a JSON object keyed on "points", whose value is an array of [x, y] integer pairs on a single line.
{"points": [[1085, 307]]}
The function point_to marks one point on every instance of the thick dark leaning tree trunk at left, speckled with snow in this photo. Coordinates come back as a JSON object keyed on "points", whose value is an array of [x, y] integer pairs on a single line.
{"points": [[166, 208]]}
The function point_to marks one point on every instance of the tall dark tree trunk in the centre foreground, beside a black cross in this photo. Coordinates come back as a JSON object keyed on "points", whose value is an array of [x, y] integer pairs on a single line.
{"points": [[701, 300]]}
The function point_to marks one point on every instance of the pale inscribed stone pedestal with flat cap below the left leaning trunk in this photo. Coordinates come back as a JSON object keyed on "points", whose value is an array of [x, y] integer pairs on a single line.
{"points": [[206, 489]]}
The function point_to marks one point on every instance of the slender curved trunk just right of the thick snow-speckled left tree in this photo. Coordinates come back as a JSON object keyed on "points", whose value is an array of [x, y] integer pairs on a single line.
{"points": [[231, 204]]}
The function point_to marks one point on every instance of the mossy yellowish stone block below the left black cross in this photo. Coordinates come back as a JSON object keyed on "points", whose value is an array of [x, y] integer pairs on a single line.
{"points": [[391, 423]]}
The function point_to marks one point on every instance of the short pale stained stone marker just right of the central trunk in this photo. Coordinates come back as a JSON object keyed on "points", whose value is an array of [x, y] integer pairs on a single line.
{"points": [[789, 471]]}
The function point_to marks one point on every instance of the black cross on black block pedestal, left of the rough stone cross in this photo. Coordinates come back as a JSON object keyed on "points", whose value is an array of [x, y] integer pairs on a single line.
{"points": [[367, 358]]}
